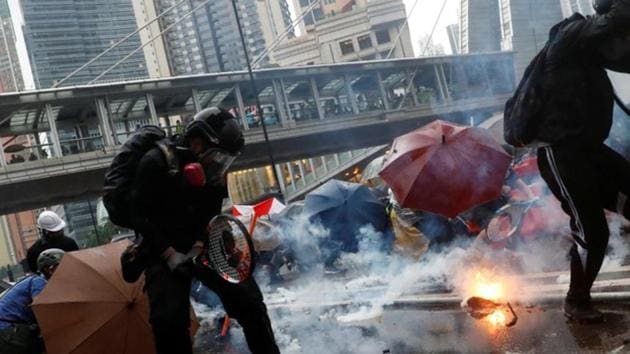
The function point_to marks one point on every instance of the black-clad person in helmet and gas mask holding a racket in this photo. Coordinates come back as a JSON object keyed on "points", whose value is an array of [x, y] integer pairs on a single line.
{"points": [[172, 213]]}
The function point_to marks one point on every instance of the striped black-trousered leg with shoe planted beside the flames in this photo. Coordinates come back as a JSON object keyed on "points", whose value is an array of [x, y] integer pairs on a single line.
{"points": [[574, 181]]}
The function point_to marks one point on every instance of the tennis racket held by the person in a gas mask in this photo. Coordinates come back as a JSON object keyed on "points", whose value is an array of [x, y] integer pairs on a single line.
{"points": [[230, 249]]}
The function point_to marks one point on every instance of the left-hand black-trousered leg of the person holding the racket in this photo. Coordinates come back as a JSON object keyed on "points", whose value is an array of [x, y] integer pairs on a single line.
{"points": [[169, 301]]}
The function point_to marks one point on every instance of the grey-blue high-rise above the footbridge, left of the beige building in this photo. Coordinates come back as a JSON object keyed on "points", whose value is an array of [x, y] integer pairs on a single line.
{"points": [[208, 41]]}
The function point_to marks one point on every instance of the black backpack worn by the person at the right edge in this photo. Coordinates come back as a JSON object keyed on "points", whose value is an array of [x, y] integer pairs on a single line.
{"points": [[523, 112]]}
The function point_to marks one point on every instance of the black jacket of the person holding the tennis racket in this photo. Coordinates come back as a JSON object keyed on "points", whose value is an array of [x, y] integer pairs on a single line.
{"points": [[167, 211]]}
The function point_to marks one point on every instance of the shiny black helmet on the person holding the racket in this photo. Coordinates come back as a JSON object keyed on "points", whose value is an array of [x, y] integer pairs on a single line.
{"points": [[218, 128]]}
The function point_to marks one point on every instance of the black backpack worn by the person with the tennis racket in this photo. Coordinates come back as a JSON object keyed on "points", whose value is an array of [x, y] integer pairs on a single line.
{"points": [[119, 179]]}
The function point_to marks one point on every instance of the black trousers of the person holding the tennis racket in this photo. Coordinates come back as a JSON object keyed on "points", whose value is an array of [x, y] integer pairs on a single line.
{"points": [[169, 299]]}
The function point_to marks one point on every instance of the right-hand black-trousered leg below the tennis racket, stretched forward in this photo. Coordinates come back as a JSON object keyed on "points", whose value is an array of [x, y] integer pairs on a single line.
{"points": [[244, 302]]}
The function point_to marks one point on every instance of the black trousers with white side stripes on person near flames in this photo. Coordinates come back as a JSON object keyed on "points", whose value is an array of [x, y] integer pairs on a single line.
{"points": [[587, 180]]}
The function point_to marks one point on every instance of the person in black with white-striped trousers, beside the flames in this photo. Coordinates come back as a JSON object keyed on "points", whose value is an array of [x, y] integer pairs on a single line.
{"points": [[583, 173]]}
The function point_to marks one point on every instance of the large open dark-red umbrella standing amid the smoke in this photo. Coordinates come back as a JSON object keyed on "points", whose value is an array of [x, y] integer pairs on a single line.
{"points": [[445, 169]]}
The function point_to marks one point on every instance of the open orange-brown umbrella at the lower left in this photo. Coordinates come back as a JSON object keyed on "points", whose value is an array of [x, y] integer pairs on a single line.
{"points": [[87, 307]]}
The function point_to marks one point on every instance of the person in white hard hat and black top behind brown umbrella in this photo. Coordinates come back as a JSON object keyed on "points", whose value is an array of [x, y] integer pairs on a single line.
{"points": [[52, 236]]}
